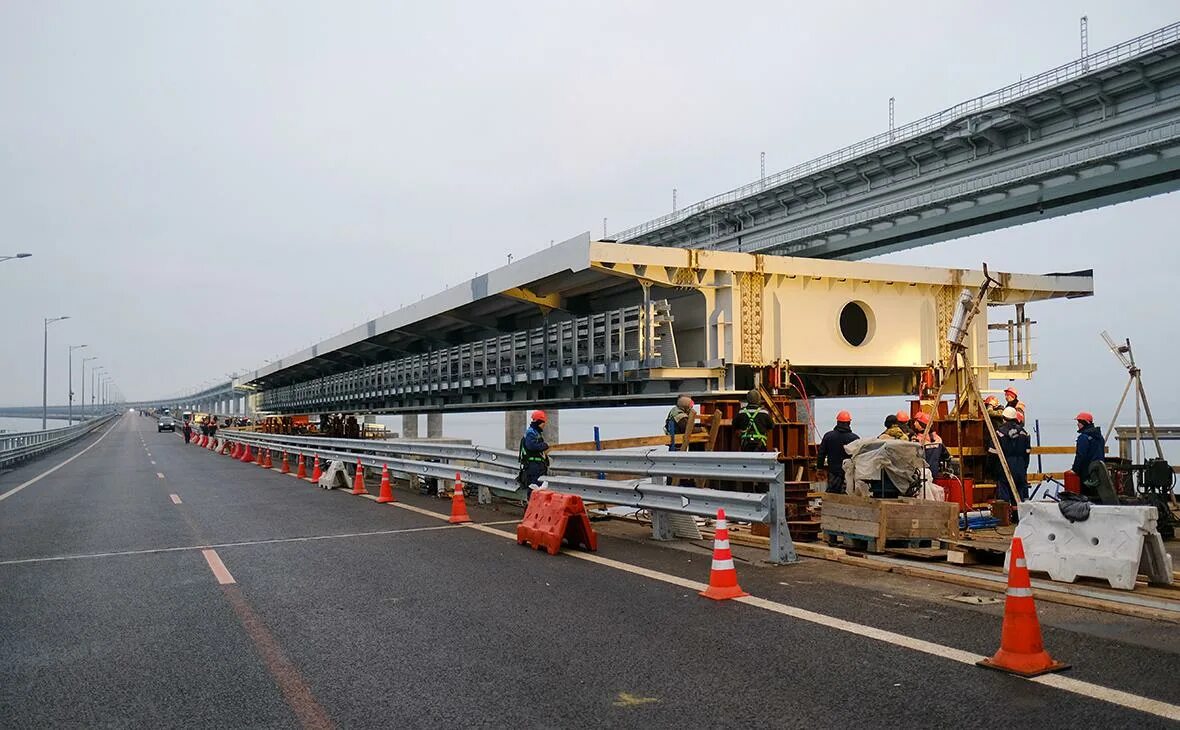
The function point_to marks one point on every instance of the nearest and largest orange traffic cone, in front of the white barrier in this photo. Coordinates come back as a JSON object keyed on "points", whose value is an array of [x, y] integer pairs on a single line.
{"points": [[1021, 649]]}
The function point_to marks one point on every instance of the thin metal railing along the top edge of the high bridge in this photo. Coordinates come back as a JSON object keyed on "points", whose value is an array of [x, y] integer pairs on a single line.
{"points": [[1074, 70]]}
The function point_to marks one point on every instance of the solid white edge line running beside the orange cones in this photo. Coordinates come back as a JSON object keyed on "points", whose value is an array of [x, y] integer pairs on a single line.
{"points": [[1068, 685]]}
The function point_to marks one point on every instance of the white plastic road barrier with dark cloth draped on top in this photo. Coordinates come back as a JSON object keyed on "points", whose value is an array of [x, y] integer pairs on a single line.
{"points": [[1116, 544]]}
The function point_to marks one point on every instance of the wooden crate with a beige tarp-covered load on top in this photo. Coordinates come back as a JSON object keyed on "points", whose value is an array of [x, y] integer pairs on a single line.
{"points": [[876, 522]]}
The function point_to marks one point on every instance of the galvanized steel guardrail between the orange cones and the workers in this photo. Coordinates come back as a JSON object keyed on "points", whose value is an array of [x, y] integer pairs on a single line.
{"points": [[643, 494]]}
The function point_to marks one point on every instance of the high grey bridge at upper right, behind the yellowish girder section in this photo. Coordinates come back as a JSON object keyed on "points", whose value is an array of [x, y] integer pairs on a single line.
{"points": [[1102, 130]]}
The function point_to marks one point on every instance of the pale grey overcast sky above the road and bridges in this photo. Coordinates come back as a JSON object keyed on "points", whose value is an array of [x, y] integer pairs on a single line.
{"points": [[207, 186]]}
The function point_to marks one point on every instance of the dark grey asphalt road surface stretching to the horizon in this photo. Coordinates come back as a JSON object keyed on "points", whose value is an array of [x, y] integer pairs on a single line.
{"points": [[344, 613]]}
